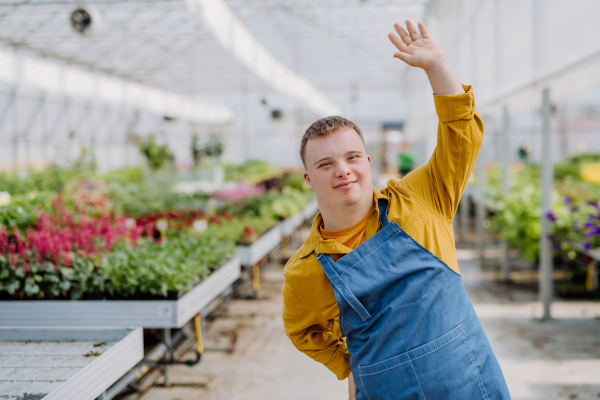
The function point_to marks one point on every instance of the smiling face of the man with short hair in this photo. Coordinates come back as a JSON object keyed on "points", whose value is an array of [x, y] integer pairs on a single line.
{"points": [[338, 169]]}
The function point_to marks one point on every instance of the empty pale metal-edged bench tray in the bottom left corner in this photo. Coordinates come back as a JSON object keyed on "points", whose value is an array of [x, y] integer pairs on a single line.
{"points": [[50, 363]]}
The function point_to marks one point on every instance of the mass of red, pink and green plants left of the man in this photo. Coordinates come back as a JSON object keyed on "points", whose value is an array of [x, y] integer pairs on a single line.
{"points": [[73, 233]]}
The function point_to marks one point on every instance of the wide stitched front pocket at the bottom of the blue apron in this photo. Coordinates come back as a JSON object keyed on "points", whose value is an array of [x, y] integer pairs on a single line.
{"points": [[442, 369]]}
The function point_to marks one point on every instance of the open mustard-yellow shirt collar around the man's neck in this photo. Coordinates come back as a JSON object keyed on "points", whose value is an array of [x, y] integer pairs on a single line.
{"points": [[314, 242]]}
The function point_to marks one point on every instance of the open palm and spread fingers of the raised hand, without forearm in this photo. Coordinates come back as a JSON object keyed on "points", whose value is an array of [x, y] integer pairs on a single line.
{"points": [[414, 49]]}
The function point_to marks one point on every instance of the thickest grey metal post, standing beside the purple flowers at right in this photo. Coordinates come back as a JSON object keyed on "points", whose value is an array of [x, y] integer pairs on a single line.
{"points": [[546, 267]]}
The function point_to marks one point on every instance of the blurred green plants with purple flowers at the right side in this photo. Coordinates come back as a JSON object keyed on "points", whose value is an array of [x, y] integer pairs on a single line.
{"points": [[575, 216]]}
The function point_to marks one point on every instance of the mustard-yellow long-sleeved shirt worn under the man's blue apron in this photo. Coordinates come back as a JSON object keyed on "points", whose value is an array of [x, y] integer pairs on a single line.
{"points": [[423, 203]]}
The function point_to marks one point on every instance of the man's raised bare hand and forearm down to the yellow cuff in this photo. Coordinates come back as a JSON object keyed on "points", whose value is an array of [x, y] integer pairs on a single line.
{"points": [[421, 51]]}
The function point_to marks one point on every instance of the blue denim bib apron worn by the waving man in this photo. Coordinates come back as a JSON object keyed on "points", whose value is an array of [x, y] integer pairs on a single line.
{"points": [[411, 330]]}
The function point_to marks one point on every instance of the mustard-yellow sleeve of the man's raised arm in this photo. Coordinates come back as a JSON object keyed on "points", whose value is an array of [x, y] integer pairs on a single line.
{"points": [[442, 181]]}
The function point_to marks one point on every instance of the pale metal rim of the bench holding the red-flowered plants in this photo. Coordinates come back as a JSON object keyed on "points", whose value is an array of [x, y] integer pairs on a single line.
{"points": [[144, 313]]}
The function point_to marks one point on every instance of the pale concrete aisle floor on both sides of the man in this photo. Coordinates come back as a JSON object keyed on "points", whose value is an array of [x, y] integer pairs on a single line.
{"points": [[559, 359]]}
